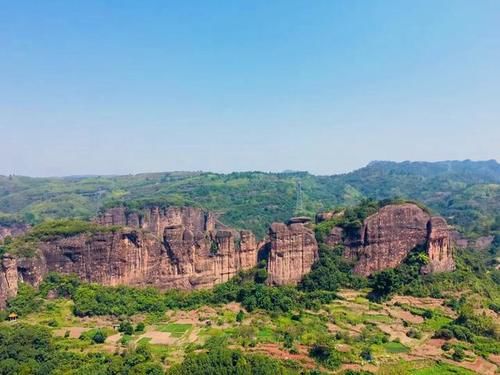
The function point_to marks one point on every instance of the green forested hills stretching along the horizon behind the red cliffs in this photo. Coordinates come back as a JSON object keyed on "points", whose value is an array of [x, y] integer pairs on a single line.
{"points": [[466, 193]]}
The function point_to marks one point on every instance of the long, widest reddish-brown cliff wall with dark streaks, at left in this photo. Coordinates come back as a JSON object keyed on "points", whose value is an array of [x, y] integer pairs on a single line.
{"points": [[177, 247]]}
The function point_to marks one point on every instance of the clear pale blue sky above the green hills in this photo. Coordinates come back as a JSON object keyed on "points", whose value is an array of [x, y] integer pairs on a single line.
{"points": [[114, 87]]}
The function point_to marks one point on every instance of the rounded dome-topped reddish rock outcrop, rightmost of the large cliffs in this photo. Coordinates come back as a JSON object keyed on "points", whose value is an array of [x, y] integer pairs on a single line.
{"points": [[387, 237]]}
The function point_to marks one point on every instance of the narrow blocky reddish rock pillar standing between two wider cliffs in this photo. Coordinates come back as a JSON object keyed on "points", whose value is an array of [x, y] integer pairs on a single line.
{"points": [[293, 250]]}
